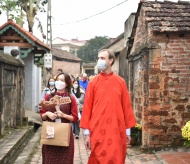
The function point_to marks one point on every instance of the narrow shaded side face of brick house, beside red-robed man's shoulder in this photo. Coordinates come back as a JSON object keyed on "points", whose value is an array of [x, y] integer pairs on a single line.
{"points": [[138, 84]]}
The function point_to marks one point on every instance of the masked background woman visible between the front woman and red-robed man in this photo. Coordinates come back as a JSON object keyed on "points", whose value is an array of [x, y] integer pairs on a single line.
{"points": [[79, 93]]}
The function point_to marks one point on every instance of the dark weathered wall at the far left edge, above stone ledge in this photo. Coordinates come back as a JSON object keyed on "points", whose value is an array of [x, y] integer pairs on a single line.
{"points": [[11, 91]]}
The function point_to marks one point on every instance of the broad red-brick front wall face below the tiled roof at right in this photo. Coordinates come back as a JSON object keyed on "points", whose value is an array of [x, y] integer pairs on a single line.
{"points": [[169, 89]]}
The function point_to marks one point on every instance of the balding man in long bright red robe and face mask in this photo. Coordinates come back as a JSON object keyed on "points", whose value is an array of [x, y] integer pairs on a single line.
{"points": [[106, 114]]}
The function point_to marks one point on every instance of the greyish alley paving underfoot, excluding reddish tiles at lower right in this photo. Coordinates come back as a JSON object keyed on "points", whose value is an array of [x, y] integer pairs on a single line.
{"points": [[134, 154]]}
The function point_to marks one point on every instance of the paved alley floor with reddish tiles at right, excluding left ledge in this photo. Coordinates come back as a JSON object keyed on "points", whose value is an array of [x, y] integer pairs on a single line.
{"points": [[134, 155]]}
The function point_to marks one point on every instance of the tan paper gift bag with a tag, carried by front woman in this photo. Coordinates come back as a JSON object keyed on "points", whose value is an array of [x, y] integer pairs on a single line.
{"points": [[55, 133]]}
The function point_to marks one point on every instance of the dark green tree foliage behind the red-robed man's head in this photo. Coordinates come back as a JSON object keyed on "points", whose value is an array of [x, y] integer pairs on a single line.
{"points": [[89, 51]]}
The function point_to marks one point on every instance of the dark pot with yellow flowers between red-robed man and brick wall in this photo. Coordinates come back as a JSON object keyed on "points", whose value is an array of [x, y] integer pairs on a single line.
{"points": [[136, 135]]}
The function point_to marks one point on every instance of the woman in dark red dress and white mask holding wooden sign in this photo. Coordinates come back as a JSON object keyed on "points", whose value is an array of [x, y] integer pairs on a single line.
{"points": [[68, 113]]}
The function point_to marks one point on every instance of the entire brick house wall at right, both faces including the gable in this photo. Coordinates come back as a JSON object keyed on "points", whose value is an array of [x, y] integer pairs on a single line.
{"points": [[159, 83]]}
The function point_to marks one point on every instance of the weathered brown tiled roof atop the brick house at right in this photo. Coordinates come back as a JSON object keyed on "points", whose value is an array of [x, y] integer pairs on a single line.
{"points": [[167, 16]]}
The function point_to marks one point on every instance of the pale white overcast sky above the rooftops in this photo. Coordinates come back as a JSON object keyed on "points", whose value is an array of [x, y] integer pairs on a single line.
{"points": [[109, 23]]}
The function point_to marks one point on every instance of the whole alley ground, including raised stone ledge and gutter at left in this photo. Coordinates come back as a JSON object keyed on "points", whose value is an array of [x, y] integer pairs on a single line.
{"points": [[31, 152]]}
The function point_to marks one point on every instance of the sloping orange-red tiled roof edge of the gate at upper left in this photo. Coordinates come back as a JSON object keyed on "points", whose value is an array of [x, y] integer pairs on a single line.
{"points": [[26, 33]]}
